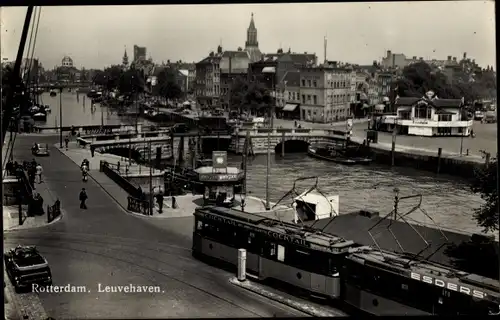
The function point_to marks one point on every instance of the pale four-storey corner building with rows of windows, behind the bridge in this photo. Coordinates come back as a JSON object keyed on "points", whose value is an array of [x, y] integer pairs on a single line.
{"points": [[324, 94]]}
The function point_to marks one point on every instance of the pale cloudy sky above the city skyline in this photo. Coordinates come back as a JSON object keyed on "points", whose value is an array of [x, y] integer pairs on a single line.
{"points": [[357, 32]]}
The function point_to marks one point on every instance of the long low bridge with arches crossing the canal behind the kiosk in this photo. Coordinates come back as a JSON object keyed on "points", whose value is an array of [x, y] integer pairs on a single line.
{"points": [[168, 144]]}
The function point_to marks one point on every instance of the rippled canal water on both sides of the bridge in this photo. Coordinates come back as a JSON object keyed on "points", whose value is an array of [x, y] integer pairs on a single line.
{"points": [[448, 201]]}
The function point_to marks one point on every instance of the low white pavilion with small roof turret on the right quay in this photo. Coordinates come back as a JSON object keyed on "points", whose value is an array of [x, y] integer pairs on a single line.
{"points": [[430, 116]]}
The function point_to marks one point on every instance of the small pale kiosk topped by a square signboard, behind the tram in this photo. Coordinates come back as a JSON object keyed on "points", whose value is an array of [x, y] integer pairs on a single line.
{"points": [[220, 181]]}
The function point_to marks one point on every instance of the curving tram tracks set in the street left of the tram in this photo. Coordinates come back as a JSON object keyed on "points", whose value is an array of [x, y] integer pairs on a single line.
{"points": [[214, 283]]}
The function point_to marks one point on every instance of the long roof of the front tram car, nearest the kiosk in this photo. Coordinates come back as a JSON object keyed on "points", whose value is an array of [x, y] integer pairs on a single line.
{"points": [[314, 237]]}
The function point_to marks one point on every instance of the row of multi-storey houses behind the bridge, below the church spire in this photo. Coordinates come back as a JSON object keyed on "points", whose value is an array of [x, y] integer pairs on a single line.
{"points": [[302, 88]]}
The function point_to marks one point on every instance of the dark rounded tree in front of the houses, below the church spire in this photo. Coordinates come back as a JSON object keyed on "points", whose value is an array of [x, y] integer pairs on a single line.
{"points": [[250, 96]]}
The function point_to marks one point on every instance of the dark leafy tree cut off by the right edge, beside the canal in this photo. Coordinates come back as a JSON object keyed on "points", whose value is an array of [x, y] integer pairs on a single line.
{"points": [[485, 183]]}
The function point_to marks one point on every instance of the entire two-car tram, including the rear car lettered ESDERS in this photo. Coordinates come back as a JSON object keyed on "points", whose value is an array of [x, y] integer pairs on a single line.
{"points": [[366, 278]]}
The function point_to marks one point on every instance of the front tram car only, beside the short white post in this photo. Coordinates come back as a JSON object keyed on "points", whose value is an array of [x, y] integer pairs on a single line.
{"points": [[275, 250]]}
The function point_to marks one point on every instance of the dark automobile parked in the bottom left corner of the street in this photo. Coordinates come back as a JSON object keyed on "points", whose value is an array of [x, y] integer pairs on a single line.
{"points": [[25, 266]]}
